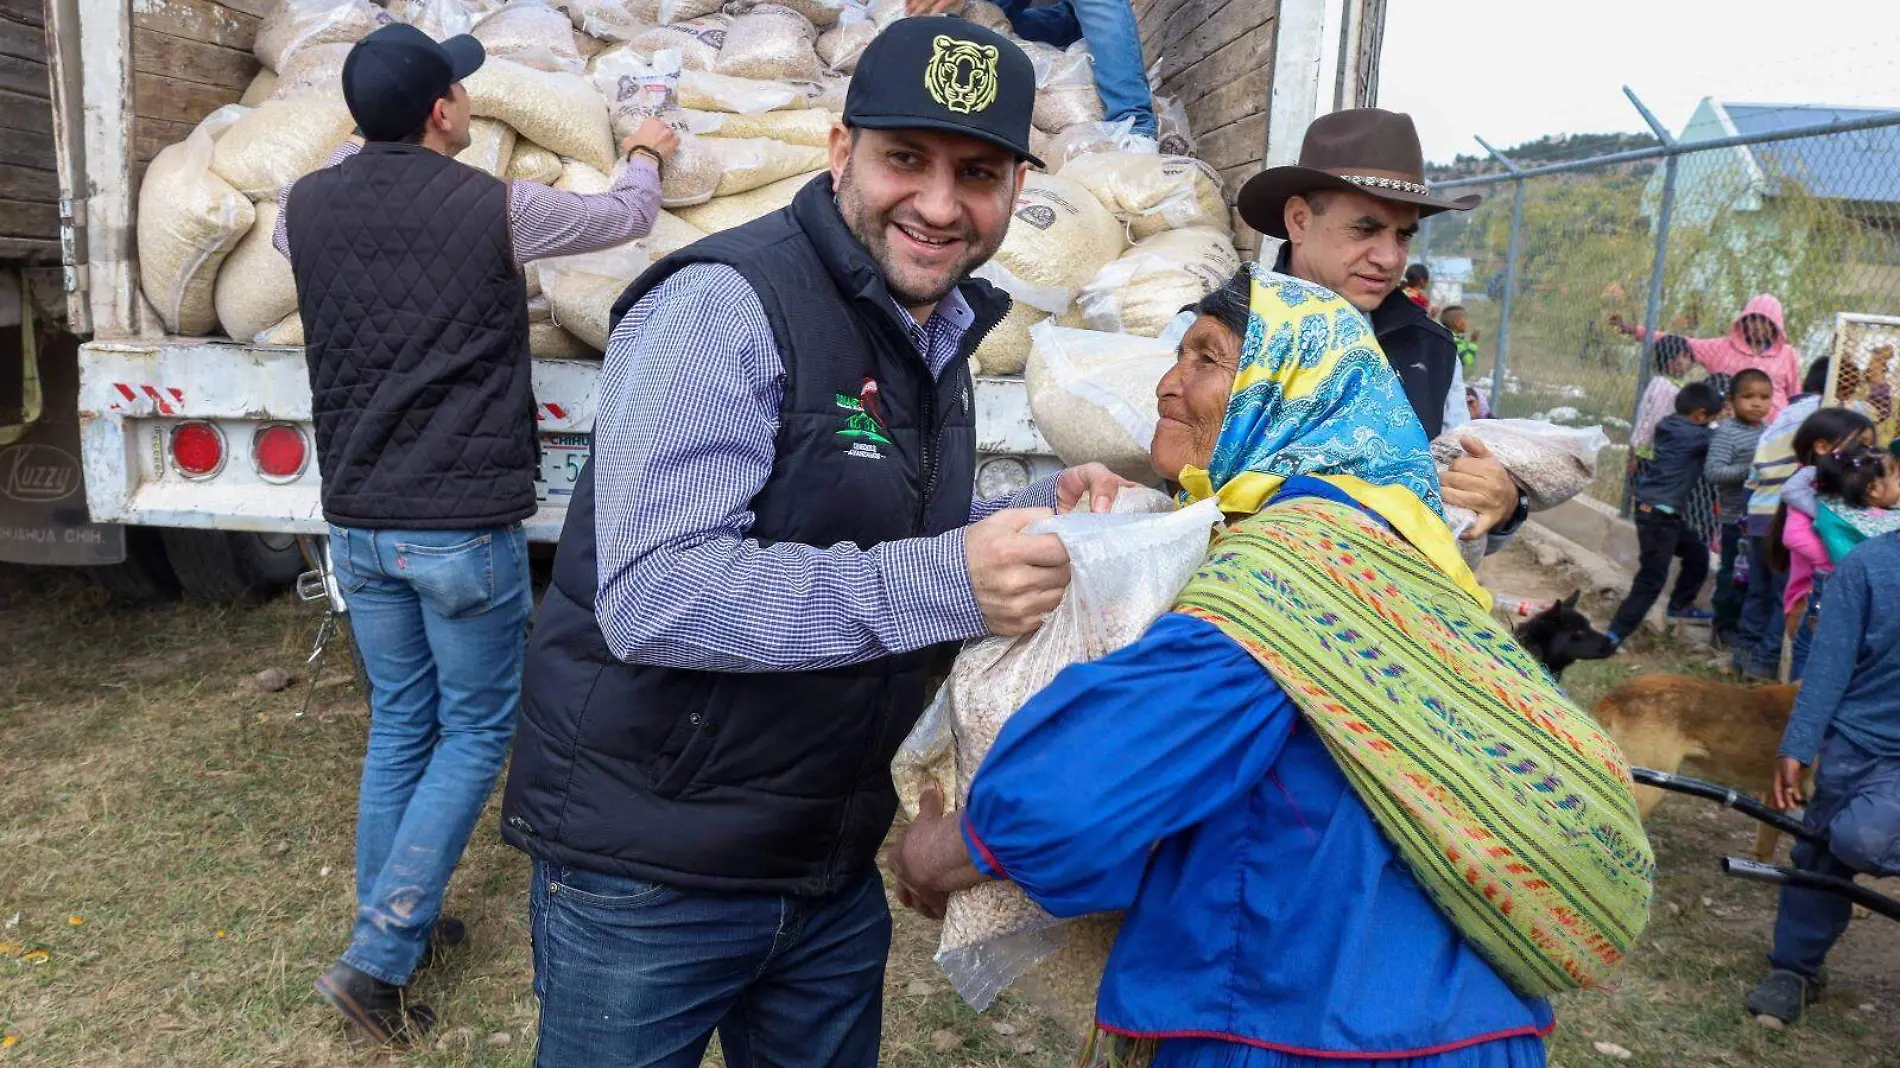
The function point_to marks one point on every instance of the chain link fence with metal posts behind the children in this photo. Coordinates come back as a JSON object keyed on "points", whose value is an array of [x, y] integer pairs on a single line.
{"points": [[1559, 269]]}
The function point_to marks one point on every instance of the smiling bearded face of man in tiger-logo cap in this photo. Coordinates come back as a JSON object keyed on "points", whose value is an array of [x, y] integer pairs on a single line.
{"points": [[928, 206]]}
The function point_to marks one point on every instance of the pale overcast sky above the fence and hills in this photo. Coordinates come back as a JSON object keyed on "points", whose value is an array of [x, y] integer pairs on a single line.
{"points": [[1513, 71]]}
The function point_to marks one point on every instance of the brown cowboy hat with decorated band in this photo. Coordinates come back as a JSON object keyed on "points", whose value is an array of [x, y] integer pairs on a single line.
{"points": [[1365, 151]]}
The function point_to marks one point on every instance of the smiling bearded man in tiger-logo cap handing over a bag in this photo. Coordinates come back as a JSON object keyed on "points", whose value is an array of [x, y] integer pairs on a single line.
{"points": [[767, 562]]}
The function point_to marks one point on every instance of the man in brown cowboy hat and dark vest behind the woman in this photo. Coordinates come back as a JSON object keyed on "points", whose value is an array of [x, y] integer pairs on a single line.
{"points": [[1348, 214]]}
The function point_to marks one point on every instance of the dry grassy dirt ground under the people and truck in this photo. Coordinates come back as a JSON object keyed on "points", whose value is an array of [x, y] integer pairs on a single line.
{"points": [[176, 862]]}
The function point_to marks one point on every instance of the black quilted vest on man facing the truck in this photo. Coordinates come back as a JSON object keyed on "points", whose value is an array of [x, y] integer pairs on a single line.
{"points": [[417, 337]]}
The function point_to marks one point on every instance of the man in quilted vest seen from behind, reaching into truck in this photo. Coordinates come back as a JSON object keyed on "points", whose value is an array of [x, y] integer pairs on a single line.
{"points": [[417, 334]]}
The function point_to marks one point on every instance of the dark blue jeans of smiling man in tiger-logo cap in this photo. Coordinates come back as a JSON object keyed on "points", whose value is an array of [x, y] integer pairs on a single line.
{"points": [[639, 976]]}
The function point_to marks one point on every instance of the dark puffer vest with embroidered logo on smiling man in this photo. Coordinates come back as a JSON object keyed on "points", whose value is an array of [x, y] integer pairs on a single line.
{"points": [[770, 782]]}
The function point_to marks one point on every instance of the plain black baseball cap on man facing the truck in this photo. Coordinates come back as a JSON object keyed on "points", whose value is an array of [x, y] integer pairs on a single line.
{"points": [[394, 77]]}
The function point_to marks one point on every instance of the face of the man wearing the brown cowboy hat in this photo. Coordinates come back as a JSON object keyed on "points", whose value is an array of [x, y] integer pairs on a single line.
{"points": [[1352, 244]]}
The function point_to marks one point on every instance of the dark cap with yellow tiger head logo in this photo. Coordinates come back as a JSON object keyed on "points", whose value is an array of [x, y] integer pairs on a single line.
{"points": [[949, 75]]}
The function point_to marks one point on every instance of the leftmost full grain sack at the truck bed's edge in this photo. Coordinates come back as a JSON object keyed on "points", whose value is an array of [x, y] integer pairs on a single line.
{"points": [[189, 221]]}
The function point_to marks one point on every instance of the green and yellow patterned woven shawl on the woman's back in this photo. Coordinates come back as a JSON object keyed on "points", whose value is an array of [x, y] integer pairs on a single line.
{"points": [[1506, 801]]}
